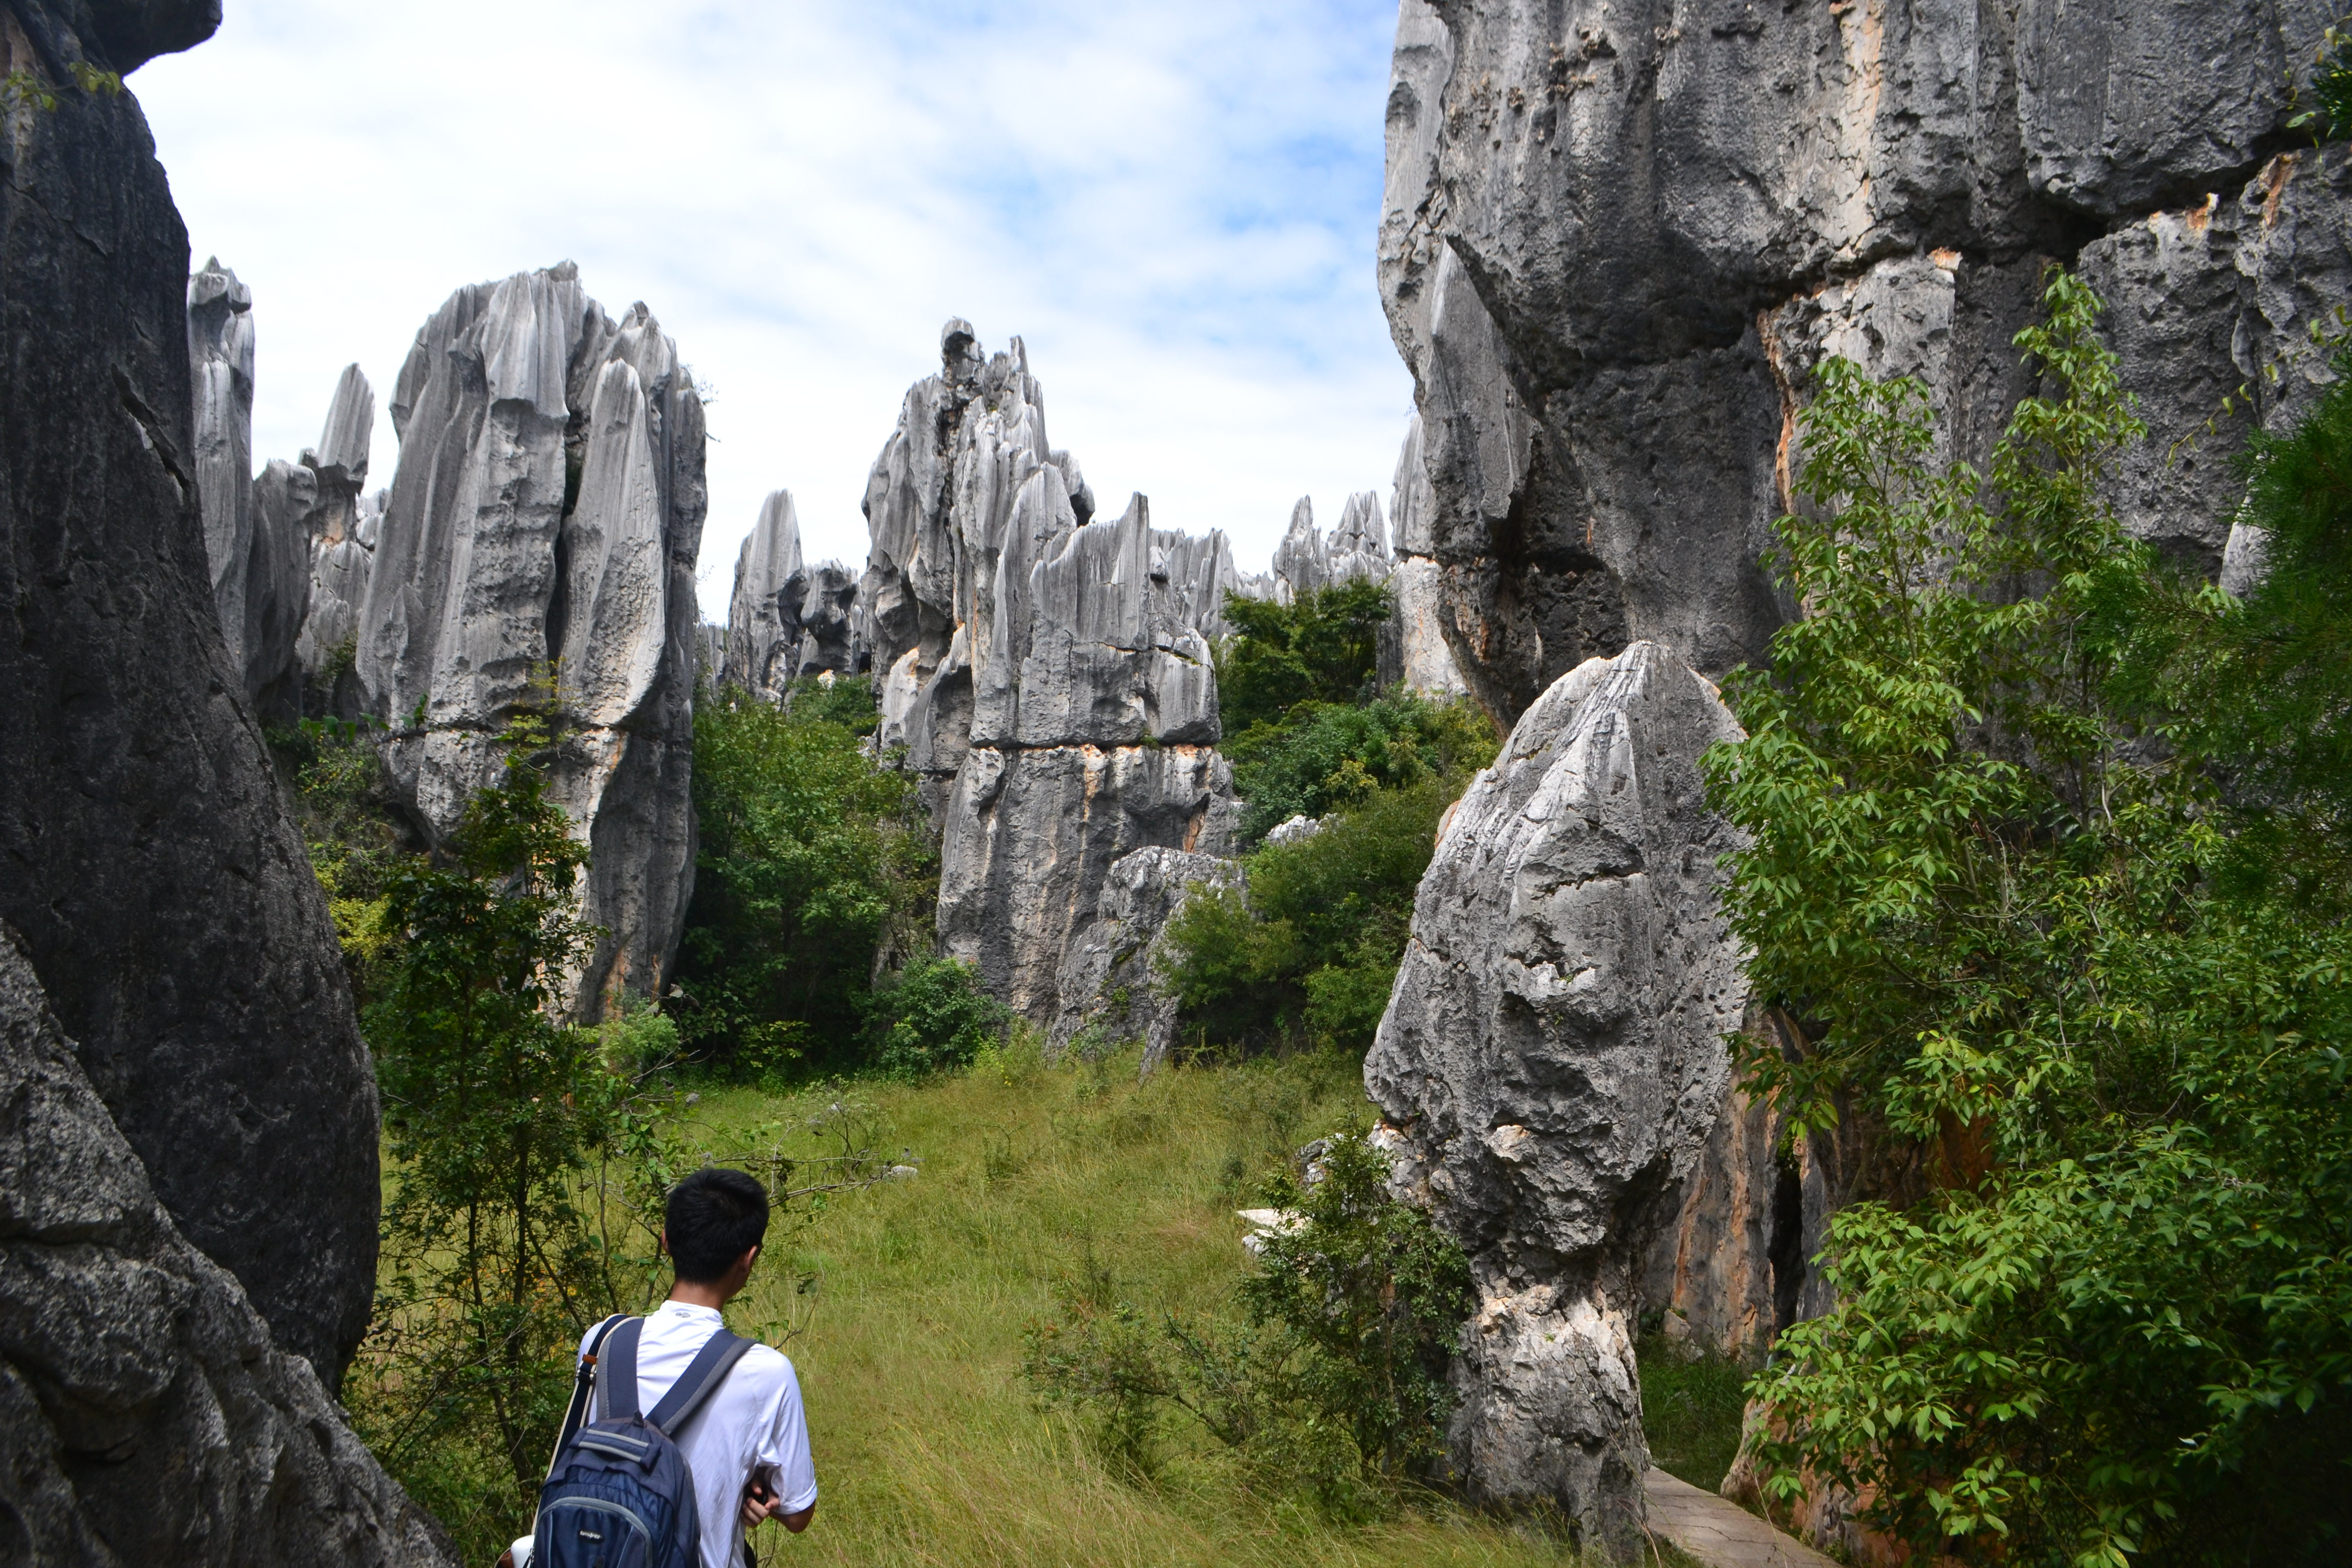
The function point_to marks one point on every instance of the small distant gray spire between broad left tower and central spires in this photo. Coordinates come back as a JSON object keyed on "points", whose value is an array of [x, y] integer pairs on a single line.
{"points": [[787, 619]]}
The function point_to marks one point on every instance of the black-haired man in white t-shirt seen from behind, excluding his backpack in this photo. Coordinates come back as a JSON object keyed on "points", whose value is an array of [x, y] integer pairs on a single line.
{"points": [[749, 1445]]}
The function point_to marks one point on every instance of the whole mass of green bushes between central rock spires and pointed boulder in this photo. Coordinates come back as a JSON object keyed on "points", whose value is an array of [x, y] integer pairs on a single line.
{"points": [[1307, 953]]}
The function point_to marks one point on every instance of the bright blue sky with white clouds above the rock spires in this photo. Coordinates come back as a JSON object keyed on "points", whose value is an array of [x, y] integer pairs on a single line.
{"points": [[1172, 203]]}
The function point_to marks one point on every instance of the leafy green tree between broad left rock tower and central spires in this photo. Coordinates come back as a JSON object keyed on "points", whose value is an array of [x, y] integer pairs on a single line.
{"points": [[813, 864]]}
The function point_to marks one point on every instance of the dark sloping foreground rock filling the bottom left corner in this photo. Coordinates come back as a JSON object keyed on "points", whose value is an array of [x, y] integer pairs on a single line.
{"points": [[145, 1414]]}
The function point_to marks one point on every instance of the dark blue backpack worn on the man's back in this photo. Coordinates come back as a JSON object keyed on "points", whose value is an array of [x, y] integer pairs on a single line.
{"points": [[620, 1494]]}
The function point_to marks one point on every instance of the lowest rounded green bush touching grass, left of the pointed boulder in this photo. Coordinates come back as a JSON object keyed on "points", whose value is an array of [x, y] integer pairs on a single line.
{"points": [[1311, 951]]}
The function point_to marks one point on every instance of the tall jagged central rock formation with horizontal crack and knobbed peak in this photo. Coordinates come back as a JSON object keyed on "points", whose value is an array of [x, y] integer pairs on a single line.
{"points": [[1045, 671]]}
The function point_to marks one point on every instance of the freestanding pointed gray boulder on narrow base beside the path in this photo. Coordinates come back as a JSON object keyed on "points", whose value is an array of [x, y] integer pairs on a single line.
{"points": [[1553, 1064]]}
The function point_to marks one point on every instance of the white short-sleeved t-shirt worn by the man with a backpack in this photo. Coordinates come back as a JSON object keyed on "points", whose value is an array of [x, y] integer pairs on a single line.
{"points": [[749, 1423]]}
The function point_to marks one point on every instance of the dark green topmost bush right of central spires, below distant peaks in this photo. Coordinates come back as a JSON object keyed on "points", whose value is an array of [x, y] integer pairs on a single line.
{"points": [[1325, 648]]}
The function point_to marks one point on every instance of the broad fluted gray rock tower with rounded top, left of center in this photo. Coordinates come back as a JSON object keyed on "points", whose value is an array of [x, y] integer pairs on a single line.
{"points": [[549, 507]]}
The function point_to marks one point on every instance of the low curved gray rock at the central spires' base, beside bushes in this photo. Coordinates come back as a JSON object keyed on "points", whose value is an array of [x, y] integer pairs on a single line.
{"points": [[1109, 979]]}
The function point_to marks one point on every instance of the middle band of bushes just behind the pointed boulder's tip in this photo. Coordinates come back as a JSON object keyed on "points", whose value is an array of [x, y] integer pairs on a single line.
{"points": [[1323, 758]]}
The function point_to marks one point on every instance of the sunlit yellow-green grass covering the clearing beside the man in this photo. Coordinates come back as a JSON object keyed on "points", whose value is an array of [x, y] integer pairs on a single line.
{"points": [[930, 1447]]}
